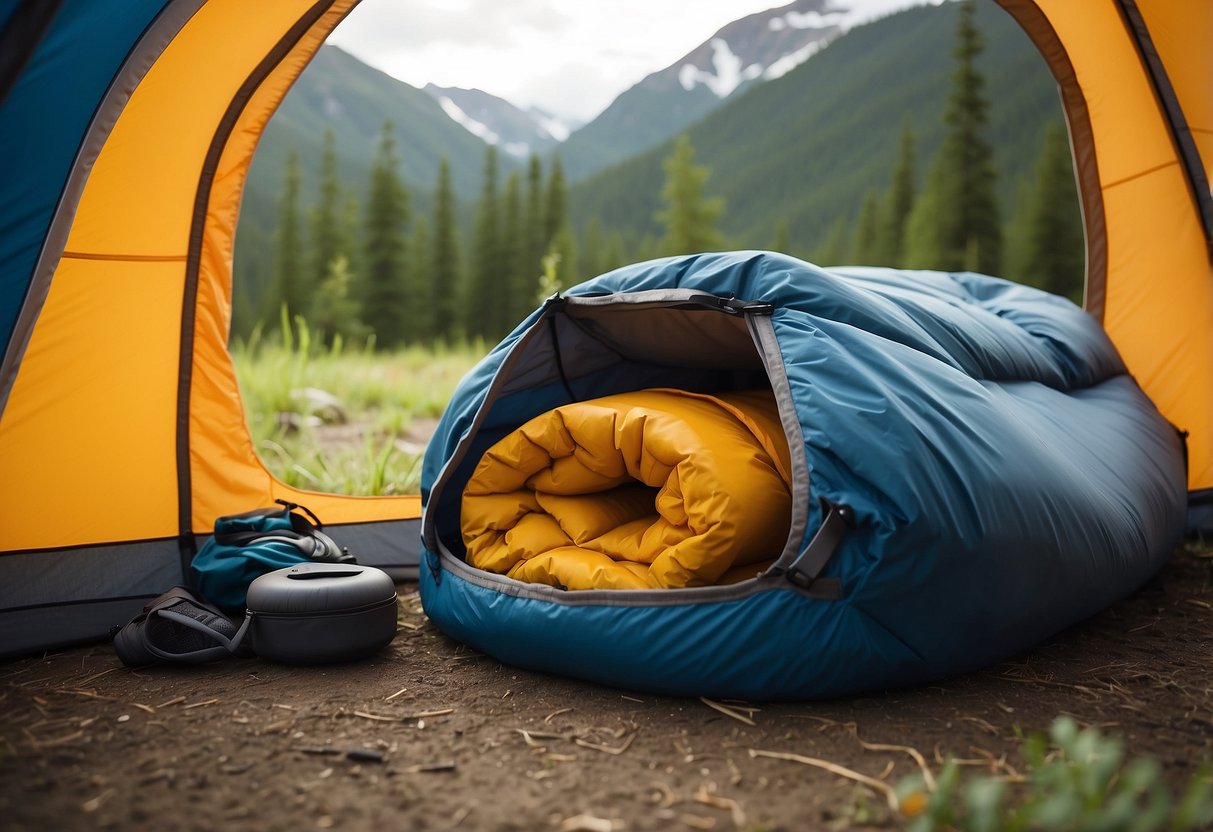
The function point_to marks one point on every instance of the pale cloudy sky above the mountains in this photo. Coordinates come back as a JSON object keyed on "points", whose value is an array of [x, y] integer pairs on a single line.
{"points": [[568, 56]]}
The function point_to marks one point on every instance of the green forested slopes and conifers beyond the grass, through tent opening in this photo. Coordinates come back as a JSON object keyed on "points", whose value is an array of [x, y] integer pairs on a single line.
{"points": [[929, 139]]}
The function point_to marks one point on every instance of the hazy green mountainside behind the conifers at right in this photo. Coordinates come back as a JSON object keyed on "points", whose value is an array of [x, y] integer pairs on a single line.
{"points": [[800, 155]]}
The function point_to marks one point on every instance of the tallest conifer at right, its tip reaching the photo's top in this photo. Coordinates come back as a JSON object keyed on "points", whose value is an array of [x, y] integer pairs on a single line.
{"points": [[956, 223]]}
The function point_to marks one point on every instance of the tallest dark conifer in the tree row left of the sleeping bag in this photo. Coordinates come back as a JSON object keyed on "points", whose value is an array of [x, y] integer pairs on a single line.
{"points": [[385, 303]]}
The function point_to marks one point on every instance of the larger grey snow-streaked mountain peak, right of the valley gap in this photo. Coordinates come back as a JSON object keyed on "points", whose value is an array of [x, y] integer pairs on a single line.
{"points": [[764, 45]]}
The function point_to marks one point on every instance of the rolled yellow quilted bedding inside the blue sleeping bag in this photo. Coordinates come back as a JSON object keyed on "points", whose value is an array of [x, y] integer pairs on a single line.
{"points": [[651, 489]]}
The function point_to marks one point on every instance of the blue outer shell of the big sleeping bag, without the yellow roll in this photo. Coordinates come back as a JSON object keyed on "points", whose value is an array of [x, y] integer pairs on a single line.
{"points": [[1007, 477]]}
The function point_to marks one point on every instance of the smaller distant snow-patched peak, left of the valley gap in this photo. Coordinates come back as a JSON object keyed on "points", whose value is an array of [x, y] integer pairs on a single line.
{"points": [[515, 132]]}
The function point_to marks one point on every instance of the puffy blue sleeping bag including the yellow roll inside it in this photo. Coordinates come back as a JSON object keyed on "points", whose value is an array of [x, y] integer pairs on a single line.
{"points": [[972, 470]]}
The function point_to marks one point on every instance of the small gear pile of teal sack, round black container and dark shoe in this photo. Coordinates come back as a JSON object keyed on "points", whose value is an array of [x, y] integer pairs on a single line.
{"points": [[304, 599]]}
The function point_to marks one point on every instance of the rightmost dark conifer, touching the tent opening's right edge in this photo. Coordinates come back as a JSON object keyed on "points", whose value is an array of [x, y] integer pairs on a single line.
{"points": [[1056, 250]]}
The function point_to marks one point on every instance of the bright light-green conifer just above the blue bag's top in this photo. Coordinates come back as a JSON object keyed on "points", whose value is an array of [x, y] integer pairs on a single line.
{"points": [[690, 218]]}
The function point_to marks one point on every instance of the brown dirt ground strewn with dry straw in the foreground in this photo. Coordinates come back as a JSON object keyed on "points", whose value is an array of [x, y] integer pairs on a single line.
{"points": [[431, 736]]}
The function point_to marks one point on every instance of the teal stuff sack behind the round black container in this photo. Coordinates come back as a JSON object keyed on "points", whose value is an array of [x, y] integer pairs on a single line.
{"points": [[247, 546]]}
